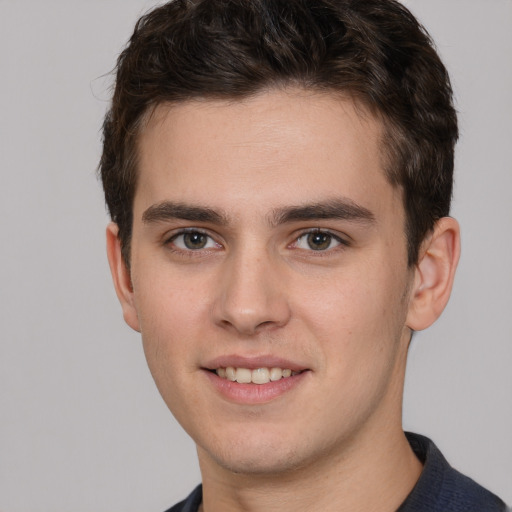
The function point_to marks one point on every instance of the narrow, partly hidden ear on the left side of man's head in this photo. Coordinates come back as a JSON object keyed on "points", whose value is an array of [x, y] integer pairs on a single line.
{"points": [[121, 277]]}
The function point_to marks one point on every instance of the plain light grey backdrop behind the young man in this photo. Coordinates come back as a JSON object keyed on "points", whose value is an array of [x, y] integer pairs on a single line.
{"points": [[82, 427]]}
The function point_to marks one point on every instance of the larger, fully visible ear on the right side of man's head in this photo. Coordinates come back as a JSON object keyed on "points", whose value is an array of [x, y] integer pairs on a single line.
{"points": [[434, 274]]}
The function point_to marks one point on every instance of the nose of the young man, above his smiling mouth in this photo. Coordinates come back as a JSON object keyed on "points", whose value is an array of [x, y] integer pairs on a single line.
{"points": [[252, 294]]}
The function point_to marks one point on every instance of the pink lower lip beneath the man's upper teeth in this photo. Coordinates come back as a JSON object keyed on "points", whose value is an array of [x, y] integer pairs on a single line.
{"points": [[253, 394]]}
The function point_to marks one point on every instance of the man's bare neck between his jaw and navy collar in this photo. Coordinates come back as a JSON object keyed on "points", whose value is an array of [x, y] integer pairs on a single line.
{"points": [[362, 480]]}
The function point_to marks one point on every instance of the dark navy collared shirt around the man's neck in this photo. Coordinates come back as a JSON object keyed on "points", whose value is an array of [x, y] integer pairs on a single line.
{"points": [[440, 488]]}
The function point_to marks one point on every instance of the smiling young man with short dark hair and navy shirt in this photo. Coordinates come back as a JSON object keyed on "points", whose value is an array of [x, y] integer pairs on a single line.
{"points": [[279, 177]]}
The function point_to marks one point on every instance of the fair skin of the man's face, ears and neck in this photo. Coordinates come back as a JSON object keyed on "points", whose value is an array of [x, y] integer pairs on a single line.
{"points": [[343, 312]]}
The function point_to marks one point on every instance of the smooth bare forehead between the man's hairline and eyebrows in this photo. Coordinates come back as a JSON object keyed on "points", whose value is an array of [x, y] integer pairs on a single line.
{"points": [[276, 148]]}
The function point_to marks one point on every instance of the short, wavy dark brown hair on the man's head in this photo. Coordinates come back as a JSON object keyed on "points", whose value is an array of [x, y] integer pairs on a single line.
{"points": [[374, 50]]}
